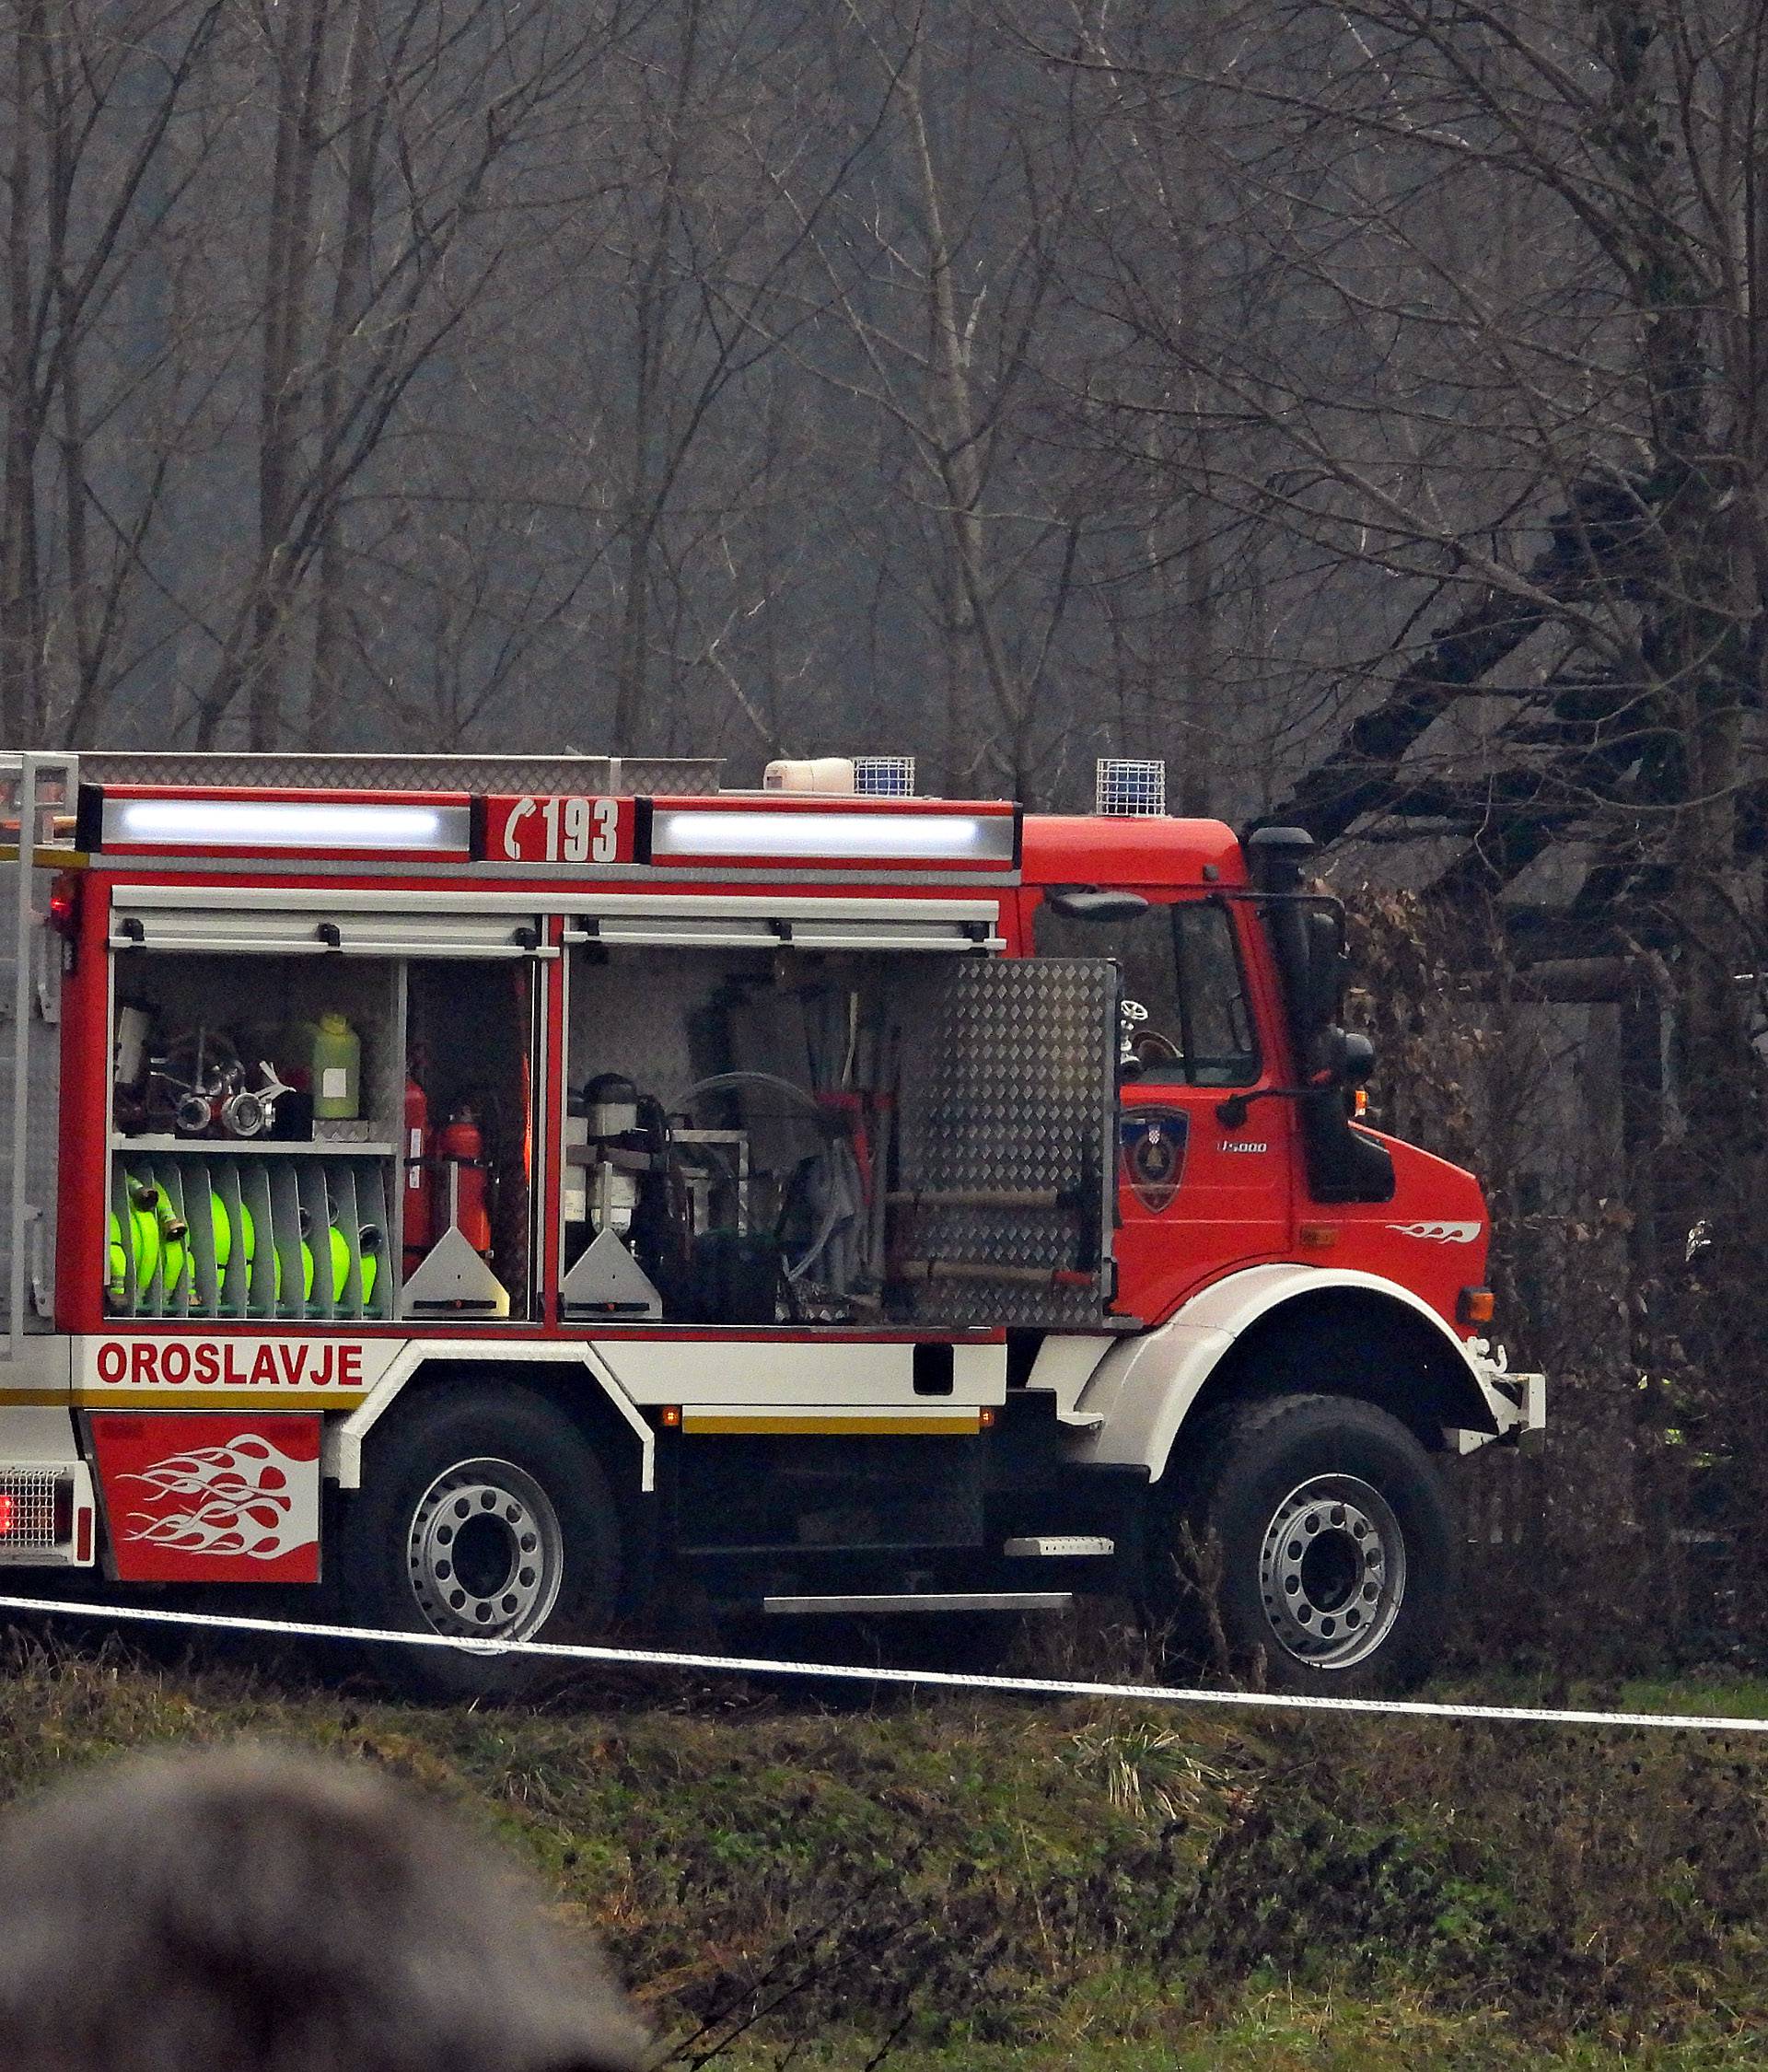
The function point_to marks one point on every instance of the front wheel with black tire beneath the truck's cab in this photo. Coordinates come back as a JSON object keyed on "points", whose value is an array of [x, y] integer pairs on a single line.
{"points": [[1313, 1543]]}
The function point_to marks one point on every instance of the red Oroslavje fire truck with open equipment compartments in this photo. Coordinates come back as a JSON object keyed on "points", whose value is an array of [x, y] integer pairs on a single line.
{"points": [[525, 1192]]}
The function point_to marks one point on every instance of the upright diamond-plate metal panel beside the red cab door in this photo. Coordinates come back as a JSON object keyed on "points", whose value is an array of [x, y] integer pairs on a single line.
{"points": [[1008, 1089]]}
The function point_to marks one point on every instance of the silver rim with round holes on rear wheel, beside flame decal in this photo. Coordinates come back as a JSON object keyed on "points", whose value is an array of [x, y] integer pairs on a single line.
{"points": [[486, 1553]]}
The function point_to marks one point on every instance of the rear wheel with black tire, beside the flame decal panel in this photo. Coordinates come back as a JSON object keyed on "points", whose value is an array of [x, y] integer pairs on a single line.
{"points": [[422, 1549]]}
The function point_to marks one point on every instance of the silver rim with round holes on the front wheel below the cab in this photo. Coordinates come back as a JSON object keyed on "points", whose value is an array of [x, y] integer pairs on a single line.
{"points": [[1332, 1572]]}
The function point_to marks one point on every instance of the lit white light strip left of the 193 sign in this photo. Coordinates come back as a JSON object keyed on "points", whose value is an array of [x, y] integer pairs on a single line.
{"points": [[281, 824]]}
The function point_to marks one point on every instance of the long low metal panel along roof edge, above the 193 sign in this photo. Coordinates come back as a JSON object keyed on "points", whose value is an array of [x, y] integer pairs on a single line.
{"points": [[671, 776]]}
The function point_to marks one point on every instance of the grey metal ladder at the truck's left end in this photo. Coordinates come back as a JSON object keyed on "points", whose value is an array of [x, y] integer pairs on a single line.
{"points": [[36, 840]]}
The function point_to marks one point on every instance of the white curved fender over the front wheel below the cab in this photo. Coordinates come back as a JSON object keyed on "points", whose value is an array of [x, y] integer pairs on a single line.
{"points": [[1259, 1331]]}
